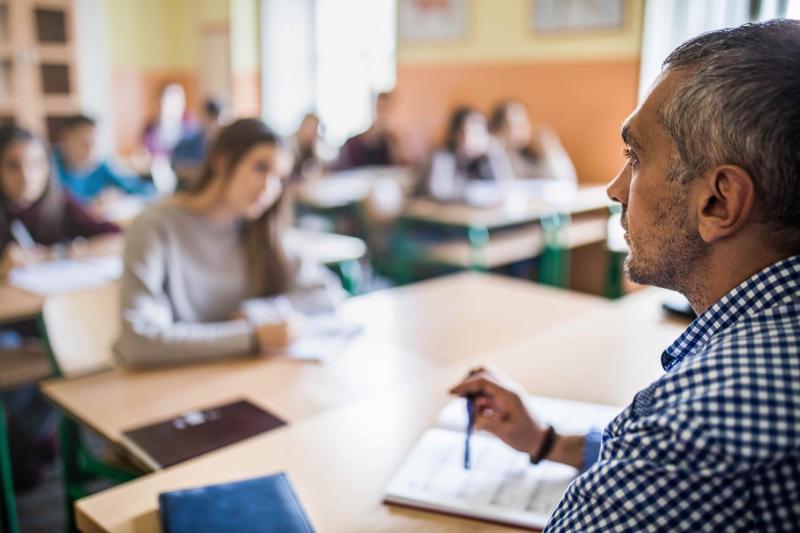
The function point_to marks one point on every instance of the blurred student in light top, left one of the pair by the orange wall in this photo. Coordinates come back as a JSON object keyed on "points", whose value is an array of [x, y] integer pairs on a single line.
{"points": [[470, 168]]}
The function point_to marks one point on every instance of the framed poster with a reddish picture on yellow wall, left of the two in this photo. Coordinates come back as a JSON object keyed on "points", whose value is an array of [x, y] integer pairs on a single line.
{"points": [[432, 20]]}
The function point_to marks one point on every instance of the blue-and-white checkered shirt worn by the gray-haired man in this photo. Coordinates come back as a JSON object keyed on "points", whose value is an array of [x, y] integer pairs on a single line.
{"points": [[714, 444]]}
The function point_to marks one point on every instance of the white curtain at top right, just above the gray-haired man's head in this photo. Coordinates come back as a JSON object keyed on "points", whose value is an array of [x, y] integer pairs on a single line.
{"points": [[668, 23]]}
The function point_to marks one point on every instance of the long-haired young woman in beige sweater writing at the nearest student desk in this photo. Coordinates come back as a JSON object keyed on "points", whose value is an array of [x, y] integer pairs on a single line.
{"points": [[206, 275]]}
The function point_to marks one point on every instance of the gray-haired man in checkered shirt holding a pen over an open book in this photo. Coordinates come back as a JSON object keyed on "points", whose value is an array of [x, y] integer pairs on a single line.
{"points": [[711, 207]]}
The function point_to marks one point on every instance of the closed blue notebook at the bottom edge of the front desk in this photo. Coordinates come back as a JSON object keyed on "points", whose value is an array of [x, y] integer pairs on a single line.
{"points": [[252, 505]]}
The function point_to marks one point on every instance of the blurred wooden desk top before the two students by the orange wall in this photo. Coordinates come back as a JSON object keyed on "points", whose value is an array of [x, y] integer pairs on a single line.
{"points": [[518, 209]]}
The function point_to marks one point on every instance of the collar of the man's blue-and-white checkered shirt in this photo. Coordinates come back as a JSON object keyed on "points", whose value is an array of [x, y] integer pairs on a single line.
{"points": [[776, 283]]}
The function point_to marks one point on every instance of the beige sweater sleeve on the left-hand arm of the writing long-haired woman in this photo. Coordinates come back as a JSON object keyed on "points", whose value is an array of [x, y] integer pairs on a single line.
{"points": [[149, 334]]}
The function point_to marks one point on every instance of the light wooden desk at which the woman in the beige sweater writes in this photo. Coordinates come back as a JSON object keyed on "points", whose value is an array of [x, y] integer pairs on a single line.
{"points": [[408, 332]]}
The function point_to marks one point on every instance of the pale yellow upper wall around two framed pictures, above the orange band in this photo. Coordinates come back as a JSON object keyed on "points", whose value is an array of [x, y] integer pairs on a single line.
{"points": [[499, 31]]}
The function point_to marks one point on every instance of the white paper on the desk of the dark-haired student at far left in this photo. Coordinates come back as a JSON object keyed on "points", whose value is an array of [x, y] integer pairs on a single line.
{"points": [[65, 275]]}
